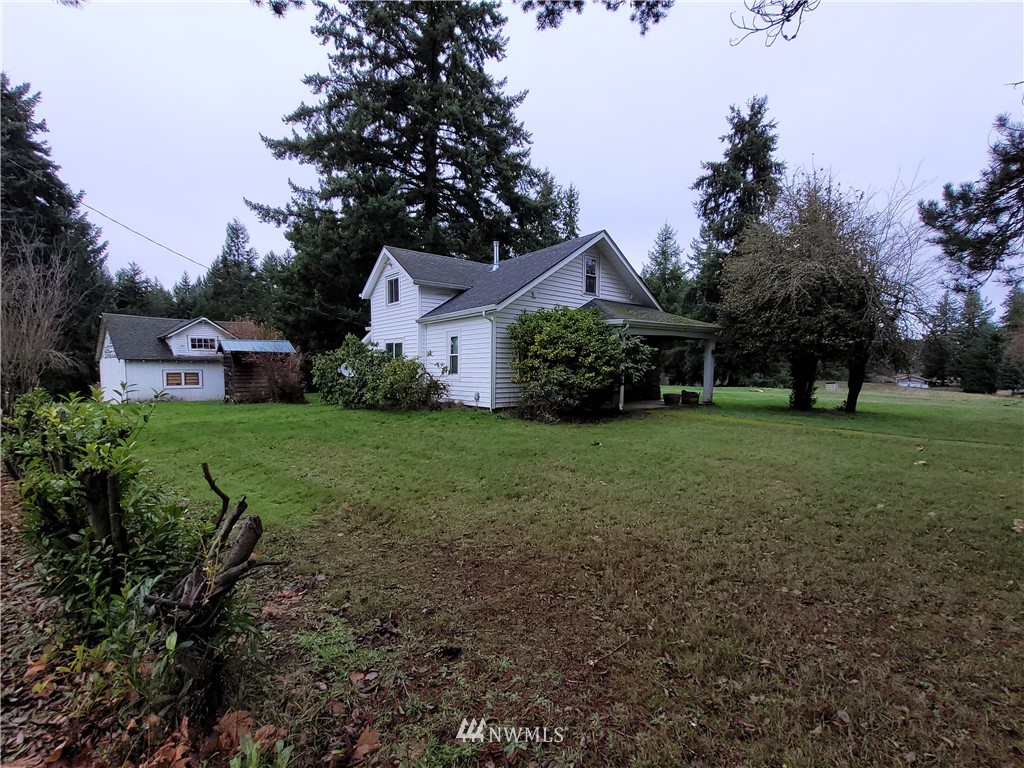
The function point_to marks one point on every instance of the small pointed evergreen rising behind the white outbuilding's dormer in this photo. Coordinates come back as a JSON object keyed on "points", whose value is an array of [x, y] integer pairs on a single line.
{"points": [[232, 287]]}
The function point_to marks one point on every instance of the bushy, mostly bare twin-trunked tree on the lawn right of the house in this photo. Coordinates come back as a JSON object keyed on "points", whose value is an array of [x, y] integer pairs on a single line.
{"points": [[828, 276]]}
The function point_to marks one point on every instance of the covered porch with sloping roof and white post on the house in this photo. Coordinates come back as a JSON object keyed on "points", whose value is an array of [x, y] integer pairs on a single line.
{"points": [[648, 322]]}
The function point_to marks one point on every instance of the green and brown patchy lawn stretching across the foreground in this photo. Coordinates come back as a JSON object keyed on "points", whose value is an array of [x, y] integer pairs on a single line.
{"points": [[726, 586]]}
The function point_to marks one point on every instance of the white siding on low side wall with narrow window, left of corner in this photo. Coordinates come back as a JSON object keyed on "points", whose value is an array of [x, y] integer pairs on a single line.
{"points": [[475, 359]]}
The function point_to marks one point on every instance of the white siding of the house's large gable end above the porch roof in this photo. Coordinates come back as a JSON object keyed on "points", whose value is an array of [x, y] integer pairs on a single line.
{"points": [[565, 288]]}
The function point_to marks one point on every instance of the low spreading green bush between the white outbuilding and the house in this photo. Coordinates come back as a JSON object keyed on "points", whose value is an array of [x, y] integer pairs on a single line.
{"points": [[360, 376]]}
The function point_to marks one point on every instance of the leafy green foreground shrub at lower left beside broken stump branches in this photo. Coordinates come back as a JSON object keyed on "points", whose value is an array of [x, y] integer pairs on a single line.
{"points": [[109, 545]]}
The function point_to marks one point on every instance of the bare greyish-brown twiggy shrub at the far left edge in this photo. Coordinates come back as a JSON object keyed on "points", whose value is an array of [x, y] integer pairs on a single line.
{"points": [[34, 313]]}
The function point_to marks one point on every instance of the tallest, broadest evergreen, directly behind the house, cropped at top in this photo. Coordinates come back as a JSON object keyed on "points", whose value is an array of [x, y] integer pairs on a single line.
{"points": [[415, 145]]}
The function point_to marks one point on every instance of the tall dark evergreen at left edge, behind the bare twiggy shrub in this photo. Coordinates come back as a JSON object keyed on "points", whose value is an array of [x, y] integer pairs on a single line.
{"points": [[38, 209]]}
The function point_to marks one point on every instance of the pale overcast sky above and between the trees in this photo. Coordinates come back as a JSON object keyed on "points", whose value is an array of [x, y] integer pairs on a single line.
{"points": [[155, 109]]}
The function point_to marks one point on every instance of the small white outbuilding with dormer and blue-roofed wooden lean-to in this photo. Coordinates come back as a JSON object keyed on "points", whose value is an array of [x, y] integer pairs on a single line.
{"points": [[184, 359]]}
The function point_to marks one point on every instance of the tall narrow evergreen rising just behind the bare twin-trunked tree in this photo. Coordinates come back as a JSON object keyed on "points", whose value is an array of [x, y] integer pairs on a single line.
{"points": [[740, 189]]}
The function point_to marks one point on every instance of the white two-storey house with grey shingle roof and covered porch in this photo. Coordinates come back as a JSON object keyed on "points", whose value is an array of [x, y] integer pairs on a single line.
{"points": [[454, 315]]}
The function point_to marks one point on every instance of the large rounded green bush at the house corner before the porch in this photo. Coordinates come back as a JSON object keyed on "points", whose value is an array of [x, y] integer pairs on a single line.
{"points": [[570, 361]]}
